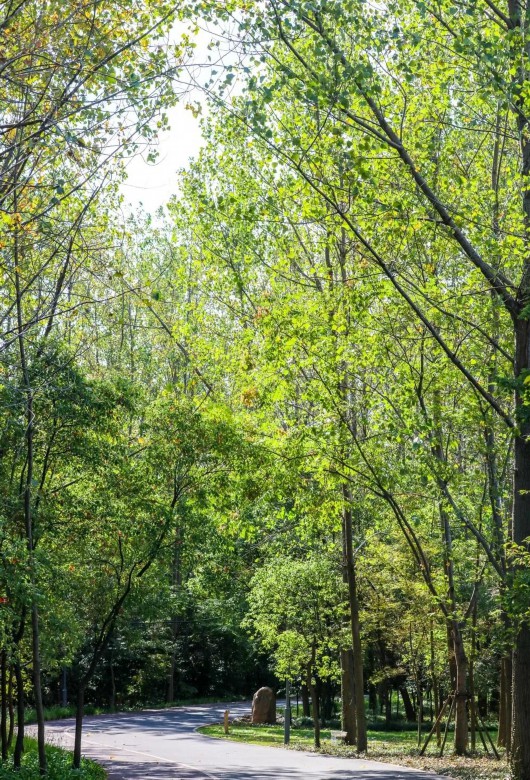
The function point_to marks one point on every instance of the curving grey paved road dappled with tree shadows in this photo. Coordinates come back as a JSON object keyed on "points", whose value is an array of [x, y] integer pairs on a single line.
{"points": [[164, 745]]}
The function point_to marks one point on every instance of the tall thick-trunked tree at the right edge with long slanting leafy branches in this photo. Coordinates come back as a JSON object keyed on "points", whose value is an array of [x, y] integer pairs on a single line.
{"points": [[411, 173]]}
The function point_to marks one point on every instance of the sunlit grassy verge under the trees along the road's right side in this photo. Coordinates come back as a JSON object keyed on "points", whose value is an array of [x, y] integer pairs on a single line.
{"points": [[395, 747]]}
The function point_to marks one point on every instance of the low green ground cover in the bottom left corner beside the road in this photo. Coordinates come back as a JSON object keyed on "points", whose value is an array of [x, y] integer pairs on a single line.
{"points": [[59, 766]]}
